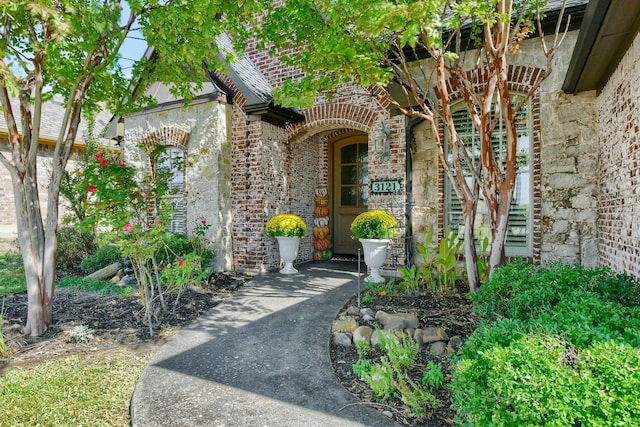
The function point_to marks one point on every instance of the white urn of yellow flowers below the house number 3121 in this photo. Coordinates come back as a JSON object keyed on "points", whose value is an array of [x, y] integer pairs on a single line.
{"points": [[374, 229]]}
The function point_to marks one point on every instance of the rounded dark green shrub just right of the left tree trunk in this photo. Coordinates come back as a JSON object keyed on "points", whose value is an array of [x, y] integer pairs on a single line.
{"points": [[74, 245]]}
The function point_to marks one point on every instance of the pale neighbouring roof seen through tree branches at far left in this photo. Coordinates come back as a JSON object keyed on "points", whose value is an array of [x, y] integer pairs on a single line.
{"points": [[52, 115]]}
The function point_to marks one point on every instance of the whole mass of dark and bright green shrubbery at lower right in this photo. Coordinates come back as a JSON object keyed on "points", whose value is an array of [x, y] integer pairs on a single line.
{"points": [[558, 345]]}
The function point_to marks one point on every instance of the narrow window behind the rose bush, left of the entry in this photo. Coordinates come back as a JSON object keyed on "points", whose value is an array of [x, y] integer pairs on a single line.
{"points": [[170, 169]]}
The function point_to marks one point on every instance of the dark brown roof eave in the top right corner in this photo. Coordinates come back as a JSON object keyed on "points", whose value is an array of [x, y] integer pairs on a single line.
{"points": [[608, 30]]}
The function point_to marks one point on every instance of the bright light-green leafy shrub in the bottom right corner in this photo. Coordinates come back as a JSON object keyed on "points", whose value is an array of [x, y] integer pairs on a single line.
{"points": [[542, 380]]}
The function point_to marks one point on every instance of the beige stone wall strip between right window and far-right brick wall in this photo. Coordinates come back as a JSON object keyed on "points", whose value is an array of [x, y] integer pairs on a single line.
{"points": [[569, 169]]}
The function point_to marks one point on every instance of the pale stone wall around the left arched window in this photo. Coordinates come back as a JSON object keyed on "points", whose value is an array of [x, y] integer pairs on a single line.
{"points": [[204, 128]]}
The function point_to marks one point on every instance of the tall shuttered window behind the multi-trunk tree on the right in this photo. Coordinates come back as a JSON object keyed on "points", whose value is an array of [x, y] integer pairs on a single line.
{"points": [[518, 241]]}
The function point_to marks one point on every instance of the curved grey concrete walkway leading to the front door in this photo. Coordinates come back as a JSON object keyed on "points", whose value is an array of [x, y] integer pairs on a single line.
{"points": [[260, 358]]}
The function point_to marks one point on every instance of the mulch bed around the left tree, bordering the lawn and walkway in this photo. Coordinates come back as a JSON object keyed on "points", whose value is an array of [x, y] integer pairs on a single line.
{"points": [[114, 320]]}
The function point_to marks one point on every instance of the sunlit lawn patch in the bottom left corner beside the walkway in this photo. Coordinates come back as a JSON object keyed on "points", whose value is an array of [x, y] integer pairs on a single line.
{"points": [[72, 391]]}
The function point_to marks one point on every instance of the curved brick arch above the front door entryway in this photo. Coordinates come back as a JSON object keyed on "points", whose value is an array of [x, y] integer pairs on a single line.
{"points": [[327, 117]]}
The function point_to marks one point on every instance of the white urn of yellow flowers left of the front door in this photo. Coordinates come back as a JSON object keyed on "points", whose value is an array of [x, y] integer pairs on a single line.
{"points": [[288, 229]]}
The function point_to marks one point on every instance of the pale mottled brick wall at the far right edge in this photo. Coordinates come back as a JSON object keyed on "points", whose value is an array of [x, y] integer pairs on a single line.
{"points": [[619, 127]]}
